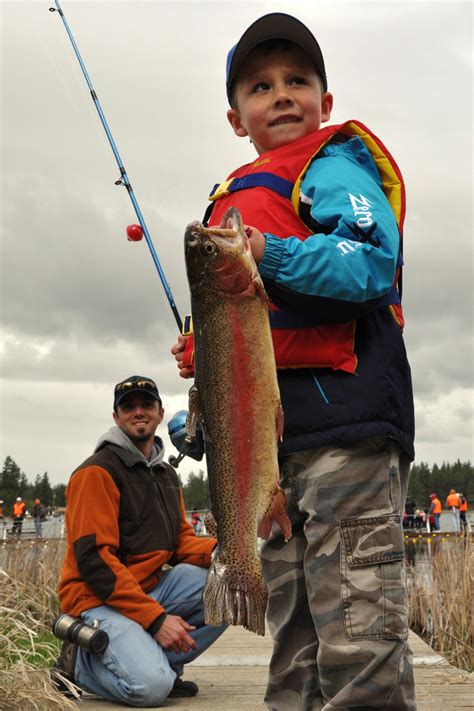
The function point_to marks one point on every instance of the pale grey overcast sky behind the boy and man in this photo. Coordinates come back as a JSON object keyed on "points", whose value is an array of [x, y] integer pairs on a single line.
{"points": [[82, 308]]}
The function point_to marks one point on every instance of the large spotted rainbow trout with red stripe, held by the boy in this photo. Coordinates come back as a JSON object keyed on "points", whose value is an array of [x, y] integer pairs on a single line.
{"points": [[237, 401]]}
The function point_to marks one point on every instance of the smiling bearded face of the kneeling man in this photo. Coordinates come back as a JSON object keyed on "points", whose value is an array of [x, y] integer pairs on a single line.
{"points": [[138, 415]]}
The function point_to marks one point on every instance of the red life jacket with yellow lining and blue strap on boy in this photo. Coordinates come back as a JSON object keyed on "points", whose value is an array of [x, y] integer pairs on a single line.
{"points": [[267, 193]]}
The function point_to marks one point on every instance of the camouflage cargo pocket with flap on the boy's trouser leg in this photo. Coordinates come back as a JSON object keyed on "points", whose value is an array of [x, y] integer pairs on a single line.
{"points": [[372, 584]]}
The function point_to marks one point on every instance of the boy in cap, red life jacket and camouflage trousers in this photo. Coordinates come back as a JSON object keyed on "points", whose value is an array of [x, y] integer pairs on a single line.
{"points": [[324, 209]]}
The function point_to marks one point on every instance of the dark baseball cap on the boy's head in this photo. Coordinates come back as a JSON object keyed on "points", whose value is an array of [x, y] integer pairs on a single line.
{"points": [[276, 25]]}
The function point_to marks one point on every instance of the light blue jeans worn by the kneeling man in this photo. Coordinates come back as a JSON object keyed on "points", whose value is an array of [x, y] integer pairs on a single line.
{"points": [[134, 669]]}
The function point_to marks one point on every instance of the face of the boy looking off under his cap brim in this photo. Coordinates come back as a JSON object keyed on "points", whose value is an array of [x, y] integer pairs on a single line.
{"points": [[278, 98]]}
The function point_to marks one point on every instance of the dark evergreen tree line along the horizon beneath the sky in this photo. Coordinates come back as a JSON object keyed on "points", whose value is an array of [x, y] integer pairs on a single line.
{"points": [[423, 482]]}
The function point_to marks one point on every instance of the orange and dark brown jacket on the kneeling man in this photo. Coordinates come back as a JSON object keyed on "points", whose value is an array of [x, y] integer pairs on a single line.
{"points": [[123, 524]]}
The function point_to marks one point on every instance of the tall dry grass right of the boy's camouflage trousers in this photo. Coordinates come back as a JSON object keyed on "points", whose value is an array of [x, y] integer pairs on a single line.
{"points": [[441, 600]]}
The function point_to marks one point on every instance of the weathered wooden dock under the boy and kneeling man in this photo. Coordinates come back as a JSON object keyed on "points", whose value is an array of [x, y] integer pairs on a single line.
{"points": [[232, 676]]}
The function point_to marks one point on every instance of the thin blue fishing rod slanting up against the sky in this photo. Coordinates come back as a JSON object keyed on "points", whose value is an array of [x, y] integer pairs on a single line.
{"points": [[134, 232]]}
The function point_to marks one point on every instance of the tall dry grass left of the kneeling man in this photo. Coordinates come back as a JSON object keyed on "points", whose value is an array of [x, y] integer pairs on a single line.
{"points": [[29, 572]]}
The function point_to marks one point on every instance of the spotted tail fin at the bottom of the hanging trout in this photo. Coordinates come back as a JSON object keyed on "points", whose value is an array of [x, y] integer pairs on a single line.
{"points": [[241, 601]]}
